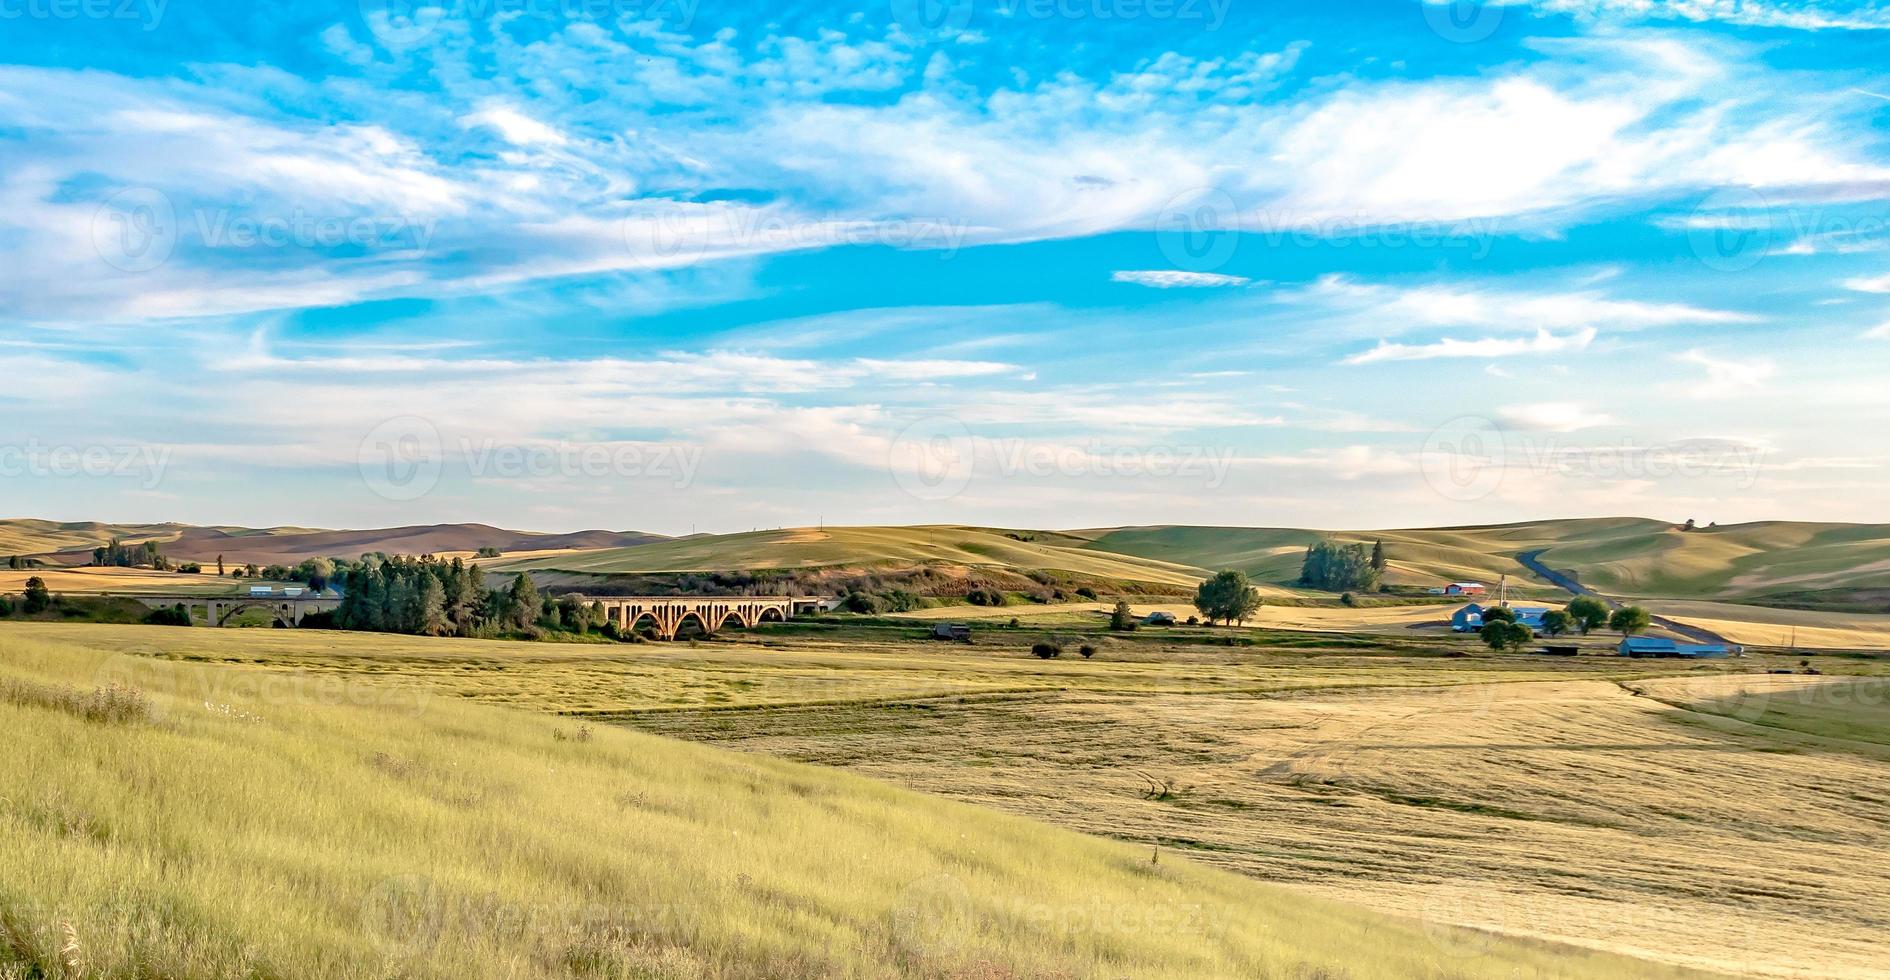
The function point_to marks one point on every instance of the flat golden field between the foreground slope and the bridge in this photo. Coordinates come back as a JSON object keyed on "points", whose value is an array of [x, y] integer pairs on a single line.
{"points": [[1687, 815]]}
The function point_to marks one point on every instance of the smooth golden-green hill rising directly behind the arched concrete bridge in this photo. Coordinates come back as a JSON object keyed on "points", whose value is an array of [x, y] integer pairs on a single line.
{"points": [[868, 547]]}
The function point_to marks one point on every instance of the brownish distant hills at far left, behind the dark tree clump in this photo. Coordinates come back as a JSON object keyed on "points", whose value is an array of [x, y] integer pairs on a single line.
{"points": [[73, 543]]}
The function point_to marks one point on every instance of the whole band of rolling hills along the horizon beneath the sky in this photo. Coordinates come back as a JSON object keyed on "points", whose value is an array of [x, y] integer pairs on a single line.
{"points": [[1812, 566]]}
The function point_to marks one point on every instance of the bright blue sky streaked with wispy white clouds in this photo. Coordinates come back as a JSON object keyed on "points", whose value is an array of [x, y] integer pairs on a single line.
{"points": [[1046, 263]]}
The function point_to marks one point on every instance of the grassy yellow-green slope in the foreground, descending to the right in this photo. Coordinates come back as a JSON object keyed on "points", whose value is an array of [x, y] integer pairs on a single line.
{"points": [[288, 828]]}
